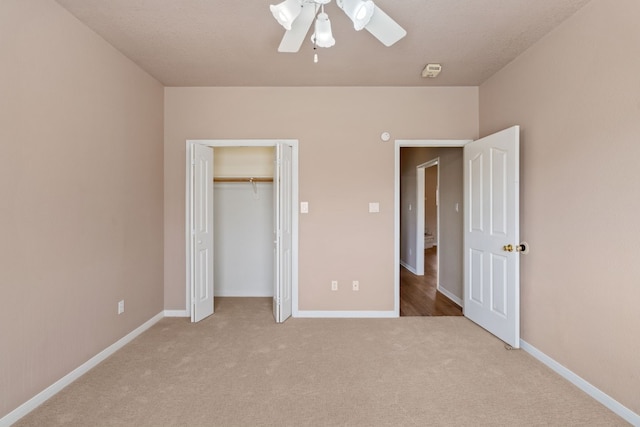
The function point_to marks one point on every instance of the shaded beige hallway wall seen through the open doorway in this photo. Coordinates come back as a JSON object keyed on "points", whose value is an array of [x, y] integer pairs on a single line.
{"points": [[451, 222]]}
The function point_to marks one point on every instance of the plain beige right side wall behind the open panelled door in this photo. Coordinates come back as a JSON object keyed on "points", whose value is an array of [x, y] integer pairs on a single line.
{"points": [[576, 94]]}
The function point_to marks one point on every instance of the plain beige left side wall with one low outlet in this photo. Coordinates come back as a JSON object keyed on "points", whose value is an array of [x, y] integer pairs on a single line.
{"points": [[81, 196]]}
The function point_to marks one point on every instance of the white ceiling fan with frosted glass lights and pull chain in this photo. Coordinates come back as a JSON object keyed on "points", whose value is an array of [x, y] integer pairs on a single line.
{"points": [[296, 16]]}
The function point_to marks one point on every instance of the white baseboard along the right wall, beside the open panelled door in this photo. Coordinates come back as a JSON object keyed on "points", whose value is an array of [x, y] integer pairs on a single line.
{"points": [[615, 406]]}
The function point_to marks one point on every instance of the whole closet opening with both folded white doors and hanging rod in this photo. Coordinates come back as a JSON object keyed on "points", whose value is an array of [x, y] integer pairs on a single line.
{"points": [[242, 224]]}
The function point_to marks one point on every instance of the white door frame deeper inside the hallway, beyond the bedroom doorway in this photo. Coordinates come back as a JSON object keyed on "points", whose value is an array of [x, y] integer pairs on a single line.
{"points": [[420, 213]]}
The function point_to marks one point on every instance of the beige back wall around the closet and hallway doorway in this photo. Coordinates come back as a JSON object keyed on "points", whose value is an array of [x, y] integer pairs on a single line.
{"points": [[343, 166]]}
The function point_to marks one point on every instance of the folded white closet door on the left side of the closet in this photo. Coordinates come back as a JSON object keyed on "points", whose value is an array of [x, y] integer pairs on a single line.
{"points": [[201, 232]]}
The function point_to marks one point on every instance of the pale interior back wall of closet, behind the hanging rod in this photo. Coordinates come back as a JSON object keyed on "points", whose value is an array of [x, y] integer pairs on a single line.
{"points": [[243, 221]]}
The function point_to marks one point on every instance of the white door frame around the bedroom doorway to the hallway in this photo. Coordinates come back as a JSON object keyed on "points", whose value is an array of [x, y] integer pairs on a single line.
{"points": [[401, 143]]}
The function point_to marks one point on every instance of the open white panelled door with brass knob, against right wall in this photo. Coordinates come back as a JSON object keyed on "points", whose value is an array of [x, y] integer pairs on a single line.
{"points": [[492, 234]]}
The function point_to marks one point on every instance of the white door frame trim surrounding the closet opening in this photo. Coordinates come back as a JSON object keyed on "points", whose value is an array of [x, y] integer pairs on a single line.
{"points": [[294, 211]]}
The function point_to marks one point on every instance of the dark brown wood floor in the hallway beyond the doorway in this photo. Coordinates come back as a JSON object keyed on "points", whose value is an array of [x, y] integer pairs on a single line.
{"points": [[419, 295]]}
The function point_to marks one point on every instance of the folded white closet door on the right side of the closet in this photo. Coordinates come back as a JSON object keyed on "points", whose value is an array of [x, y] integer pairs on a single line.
{"points": [[282, 190]]}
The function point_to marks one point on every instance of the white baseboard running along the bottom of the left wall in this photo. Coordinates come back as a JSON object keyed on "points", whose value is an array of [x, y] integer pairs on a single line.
{"points": [[54, 388]]}
